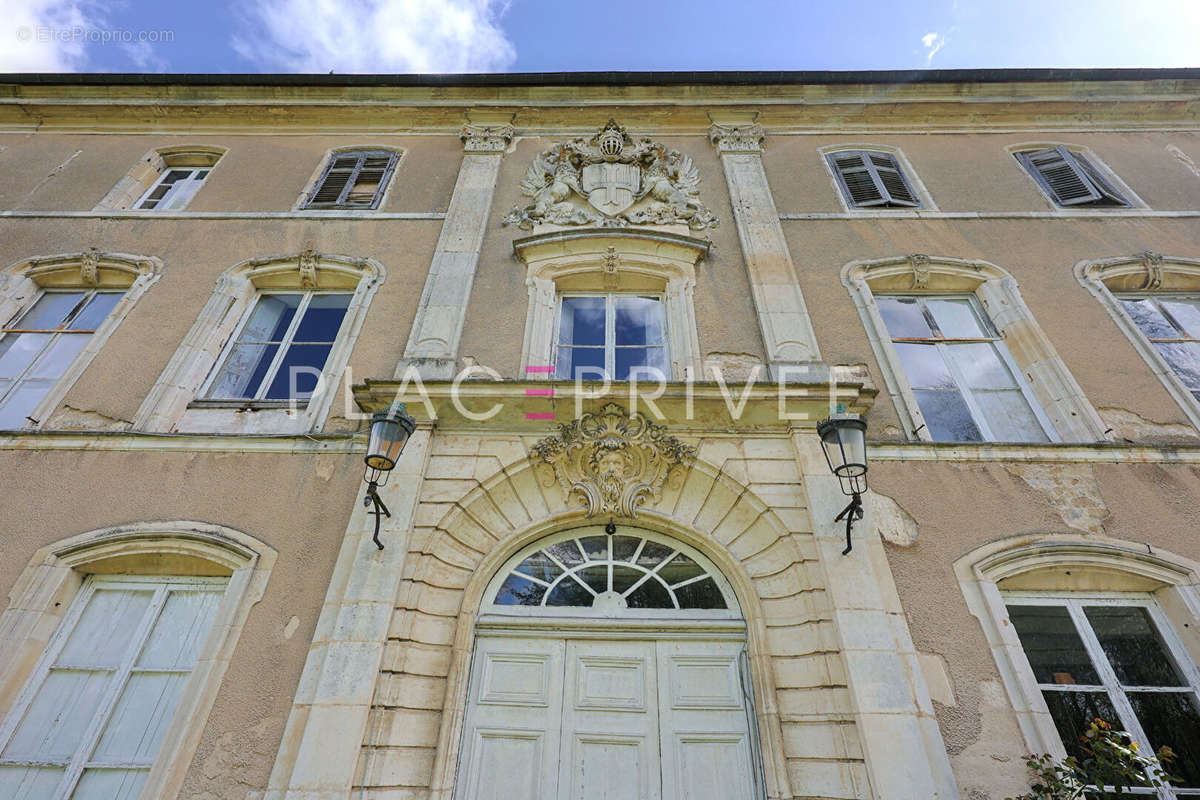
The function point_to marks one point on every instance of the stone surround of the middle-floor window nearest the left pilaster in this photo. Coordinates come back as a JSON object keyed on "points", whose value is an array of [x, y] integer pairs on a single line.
{"points": [[171, 406]]}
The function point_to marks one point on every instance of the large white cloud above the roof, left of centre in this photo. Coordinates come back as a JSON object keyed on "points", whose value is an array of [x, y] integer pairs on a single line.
{"points": [[376, 37]]}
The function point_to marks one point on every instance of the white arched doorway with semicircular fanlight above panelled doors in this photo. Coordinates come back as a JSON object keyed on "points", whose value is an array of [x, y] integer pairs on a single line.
{"points": [[610, 665]]}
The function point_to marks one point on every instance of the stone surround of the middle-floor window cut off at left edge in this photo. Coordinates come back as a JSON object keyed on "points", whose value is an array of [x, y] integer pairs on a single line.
{"points": [[22, 282]]}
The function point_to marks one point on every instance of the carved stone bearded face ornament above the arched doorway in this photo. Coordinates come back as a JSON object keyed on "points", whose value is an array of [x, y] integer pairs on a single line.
{"points": [[614, 462]]}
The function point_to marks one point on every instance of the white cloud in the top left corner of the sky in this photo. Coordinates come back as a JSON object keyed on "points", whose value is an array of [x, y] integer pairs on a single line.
{"points": [[44, 35]]}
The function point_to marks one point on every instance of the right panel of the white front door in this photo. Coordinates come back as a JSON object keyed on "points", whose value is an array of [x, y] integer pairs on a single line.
{"points": [[706, 744]]}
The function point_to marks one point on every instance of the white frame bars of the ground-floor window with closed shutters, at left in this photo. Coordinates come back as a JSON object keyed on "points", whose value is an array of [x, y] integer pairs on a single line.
{"points": [[81, 759]]}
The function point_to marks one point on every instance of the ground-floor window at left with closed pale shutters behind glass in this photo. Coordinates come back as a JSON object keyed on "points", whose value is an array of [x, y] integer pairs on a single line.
{"points": [[91, 721]]}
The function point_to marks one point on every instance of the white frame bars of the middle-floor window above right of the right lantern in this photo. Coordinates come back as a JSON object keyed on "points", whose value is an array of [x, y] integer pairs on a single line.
{"points": [[1001, 350]]}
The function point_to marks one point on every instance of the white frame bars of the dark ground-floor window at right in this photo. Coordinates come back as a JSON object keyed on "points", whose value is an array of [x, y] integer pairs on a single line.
{"points": [[1111, 685]]}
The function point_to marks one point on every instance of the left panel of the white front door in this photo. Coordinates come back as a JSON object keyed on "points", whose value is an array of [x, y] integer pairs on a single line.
{"points": [[511, 748]]}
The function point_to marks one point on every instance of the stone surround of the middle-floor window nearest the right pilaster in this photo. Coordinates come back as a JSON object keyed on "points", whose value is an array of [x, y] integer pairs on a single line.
{"points": [[1061, 398]]}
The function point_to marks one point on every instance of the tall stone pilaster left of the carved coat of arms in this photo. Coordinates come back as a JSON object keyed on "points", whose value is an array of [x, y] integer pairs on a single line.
{"points": [[434, 342]]}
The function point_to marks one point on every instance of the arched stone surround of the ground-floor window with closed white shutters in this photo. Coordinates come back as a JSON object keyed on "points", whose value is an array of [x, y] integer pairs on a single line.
{"points": [[56, 574]]}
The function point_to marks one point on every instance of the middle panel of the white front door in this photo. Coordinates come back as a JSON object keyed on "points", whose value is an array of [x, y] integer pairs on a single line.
{"points": [[610, 723]]}
